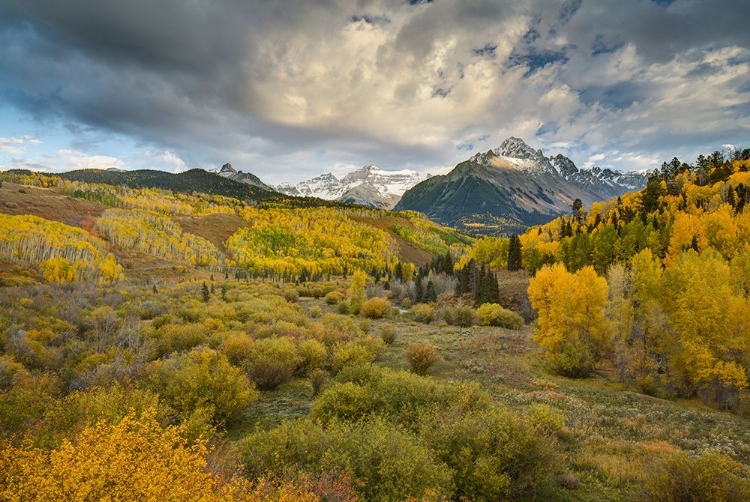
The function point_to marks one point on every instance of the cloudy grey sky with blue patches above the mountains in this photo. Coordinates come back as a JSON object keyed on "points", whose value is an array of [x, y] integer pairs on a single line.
{"points": [[288, 90]]}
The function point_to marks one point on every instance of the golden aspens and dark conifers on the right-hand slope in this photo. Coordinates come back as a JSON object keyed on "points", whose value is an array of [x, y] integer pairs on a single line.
{"points": [[655, 283]]}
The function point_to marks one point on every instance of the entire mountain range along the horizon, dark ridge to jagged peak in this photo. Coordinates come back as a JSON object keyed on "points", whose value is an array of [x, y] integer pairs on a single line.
{"points": [[502, 190]]}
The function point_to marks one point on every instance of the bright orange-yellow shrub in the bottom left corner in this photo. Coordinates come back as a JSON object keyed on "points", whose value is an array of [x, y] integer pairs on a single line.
{"points": [[135, 459]]}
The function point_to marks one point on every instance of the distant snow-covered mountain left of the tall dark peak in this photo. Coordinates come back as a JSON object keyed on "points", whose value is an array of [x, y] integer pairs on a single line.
{"points": [[369, 186]]}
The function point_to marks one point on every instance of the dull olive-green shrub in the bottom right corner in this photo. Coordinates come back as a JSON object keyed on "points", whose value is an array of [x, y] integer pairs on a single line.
{"points": [[710, 477]]}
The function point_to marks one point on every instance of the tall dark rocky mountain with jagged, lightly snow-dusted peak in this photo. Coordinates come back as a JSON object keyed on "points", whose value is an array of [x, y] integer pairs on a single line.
{"points": [[513, 187]]}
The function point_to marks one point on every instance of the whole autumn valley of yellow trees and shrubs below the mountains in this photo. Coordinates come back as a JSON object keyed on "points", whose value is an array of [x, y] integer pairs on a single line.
{"points": [[294, 345]]}
